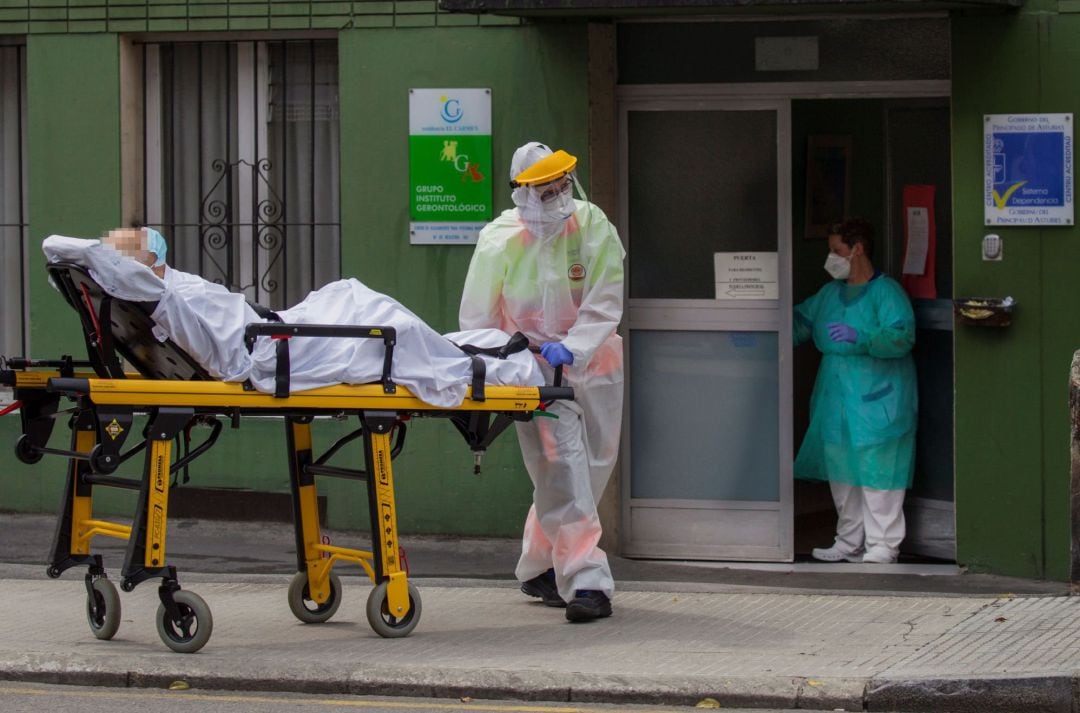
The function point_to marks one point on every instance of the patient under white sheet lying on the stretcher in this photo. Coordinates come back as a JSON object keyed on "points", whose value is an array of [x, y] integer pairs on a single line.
{"points": [[208, 321]]}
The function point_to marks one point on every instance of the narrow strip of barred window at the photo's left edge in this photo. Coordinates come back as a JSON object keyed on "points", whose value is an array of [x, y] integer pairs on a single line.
{"points": [[13, 208]]}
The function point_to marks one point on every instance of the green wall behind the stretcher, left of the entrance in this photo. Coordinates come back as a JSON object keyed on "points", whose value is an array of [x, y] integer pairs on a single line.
{"points": [[538, 80]]}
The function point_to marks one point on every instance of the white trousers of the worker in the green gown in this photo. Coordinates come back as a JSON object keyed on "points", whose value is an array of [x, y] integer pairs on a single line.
{"points": [[869, 520]]}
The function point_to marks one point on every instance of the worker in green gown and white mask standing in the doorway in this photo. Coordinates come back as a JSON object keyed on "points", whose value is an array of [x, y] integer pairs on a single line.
{"points": [[861, 437]]}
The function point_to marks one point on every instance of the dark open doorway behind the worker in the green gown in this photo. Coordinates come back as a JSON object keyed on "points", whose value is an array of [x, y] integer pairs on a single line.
{"points": [[886, 146]]}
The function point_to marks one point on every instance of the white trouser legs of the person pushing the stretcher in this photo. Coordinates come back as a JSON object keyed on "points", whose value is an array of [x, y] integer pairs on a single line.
{"points": [[571, 461]]}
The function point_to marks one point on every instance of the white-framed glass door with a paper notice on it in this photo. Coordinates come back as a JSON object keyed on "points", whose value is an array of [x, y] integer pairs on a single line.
{"points": [[706, 210]]}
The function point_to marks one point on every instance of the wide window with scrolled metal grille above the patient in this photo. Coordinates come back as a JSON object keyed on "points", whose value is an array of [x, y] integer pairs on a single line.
{"points": [[242, 163]]}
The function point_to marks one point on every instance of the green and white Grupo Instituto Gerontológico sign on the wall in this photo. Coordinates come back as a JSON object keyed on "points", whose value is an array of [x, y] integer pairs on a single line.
{"points": [[450, 165]]}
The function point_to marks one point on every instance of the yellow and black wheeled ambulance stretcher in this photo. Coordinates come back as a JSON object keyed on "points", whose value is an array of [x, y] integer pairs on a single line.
{"points": [[177, 395]]}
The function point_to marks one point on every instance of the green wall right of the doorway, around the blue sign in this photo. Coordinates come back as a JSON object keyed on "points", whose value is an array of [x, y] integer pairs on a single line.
{"points": [[1012, 431]]}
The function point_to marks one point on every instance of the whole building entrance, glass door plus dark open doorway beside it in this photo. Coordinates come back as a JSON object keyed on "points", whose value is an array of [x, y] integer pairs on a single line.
{"points": [[718, 399]]}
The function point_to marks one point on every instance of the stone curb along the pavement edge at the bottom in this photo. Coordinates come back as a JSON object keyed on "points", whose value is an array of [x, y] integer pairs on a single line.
{"points": [[1055, 694]]}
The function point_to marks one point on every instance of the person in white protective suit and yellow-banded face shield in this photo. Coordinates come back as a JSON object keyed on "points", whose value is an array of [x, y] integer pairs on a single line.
{"points": [[552, 270]]}
